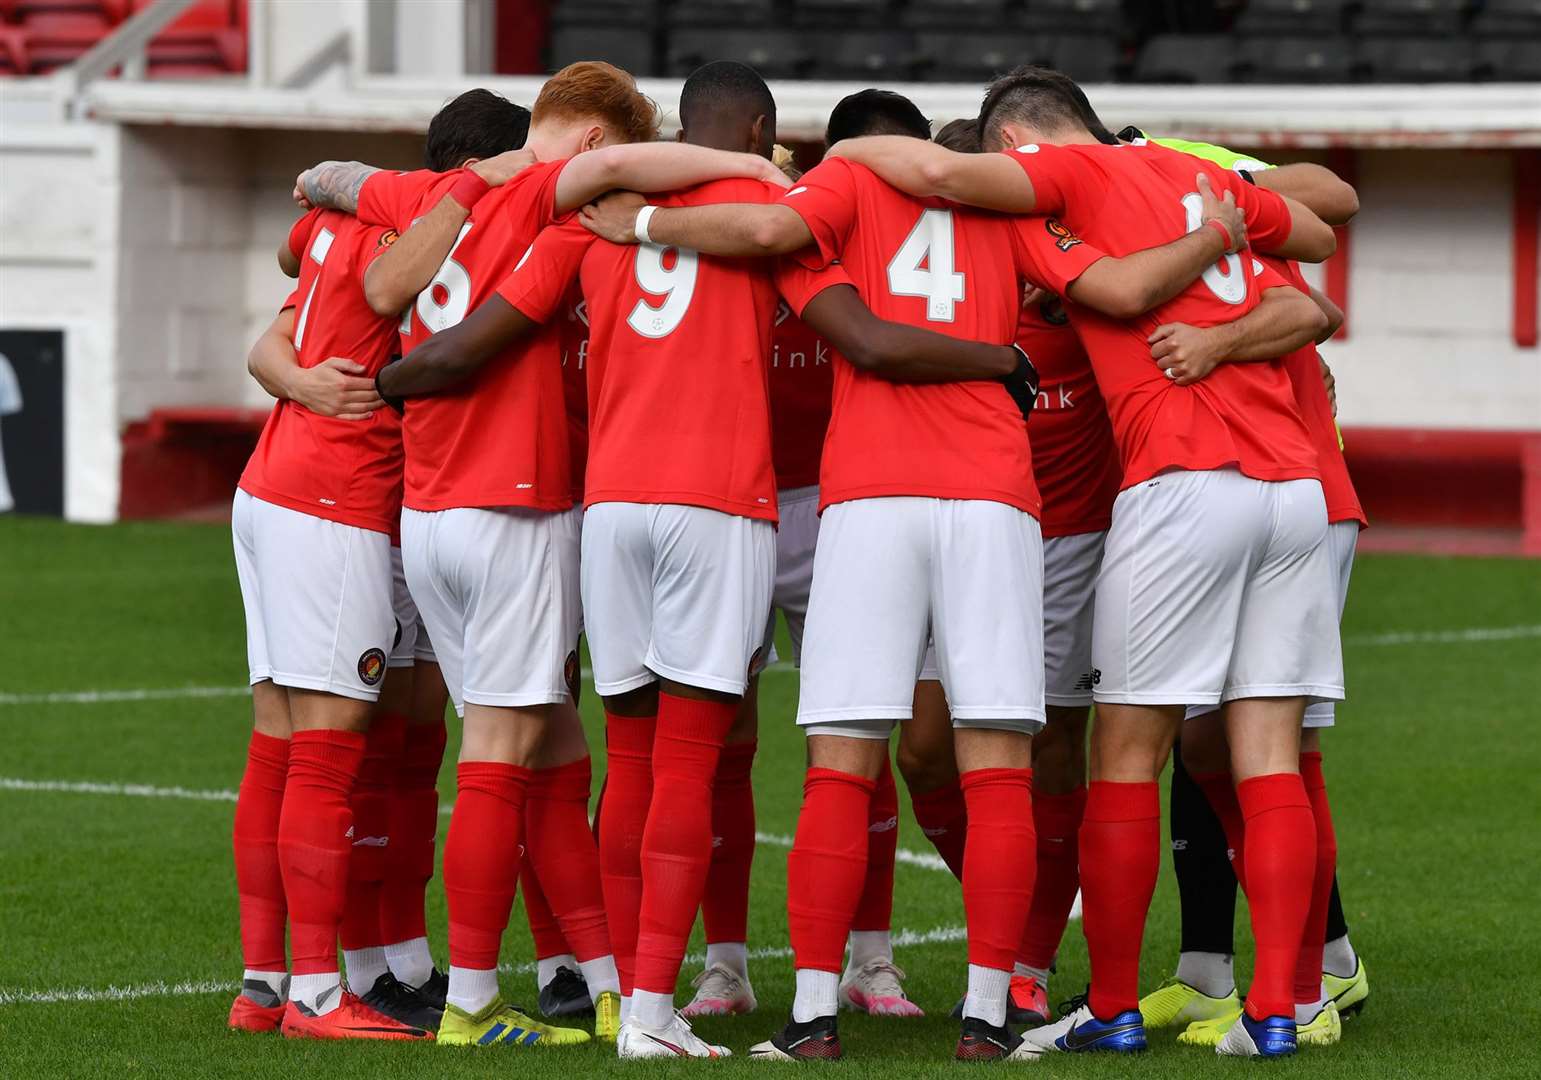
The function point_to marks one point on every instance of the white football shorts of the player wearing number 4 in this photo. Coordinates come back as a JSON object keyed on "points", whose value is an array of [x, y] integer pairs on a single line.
{"points": [[891, 574]]}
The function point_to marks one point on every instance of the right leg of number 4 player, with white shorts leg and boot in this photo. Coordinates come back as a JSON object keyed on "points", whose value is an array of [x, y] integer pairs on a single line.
{"points": [[987, 595]]}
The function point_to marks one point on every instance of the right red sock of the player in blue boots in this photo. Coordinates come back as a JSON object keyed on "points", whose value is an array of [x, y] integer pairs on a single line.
{"points": [[1281, 870]]}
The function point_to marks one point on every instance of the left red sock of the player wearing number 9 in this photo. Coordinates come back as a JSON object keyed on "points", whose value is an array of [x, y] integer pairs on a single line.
{"points": [[623, 813]]}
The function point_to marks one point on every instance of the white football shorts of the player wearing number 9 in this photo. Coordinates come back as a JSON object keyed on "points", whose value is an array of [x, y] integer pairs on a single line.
{"points": [[674, 592]]}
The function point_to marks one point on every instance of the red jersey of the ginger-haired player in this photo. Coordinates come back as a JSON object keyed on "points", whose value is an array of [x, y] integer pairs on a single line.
{"points": [[502, 438]]}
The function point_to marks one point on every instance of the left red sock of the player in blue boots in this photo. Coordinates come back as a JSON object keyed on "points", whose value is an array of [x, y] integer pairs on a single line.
{"points": [[1120, 862]]}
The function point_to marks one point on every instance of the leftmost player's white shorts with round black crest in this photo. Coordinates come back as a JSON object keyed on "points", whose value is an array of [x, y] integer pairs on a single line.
{"points": [[318, 600]]}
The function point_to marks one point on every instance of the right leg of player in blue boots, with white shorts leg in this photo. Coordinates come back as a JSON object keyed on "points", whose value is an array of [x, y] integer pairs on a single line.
{"points": [[1286, 651]]}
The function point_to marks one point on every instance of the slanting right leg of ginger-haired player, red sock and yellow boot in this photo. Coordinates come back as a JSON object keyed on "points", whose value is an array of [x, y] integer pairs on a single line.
{"points": [[566, 860]]}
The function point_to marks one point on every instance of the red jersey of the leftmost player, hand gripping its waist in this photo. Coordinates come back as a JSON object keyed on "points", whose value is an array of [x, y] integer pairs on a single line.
{"points": [[341, 471]]}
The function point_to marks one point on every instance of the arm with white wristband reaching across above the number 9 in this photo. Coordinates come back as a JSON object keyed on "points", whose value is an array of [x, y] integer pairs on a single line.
{"points": [[722, 230]]}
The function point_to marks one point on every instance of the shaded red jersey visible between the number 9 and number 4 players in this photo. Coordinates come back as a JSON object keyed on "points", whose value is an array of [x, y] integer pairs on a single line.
{"points": [[802, 387]]}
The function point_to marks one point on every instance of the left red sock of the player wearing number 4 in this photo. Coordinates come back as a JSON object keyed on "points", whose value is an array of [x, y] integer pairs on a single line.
{"points": [[827, 868]]}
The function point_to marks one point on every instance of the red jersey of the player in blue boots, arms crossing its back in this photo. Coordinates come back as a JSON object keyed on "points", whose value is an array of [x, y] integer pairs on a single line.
{"points": [[1138, 196]]}
